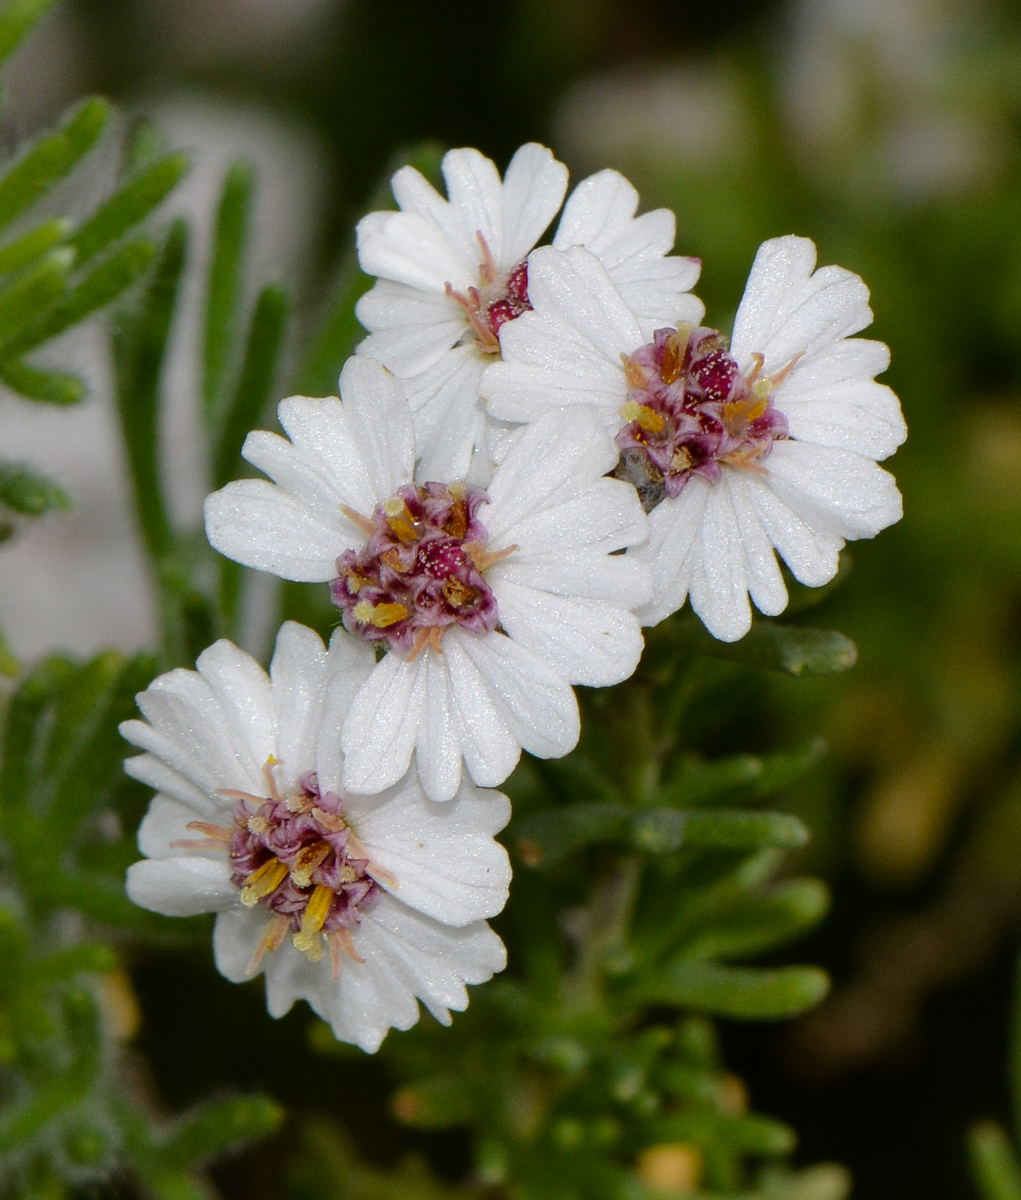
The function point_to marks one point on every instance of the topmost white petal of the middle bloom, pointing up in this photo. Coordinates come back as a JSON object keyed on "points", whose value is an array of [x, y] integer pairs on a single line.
{"points": [[379, 410]]}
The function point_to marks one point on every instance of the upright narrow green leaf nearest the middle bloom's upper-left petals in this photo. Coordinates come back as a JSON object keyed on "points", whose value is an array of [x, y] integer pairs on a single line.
{"points": [[259, 374]]}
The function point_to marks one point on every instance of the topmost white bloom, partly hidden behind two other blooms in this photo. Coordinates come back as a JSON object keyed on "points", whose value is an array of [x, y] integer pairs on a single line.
{"points": [[454, 274]]}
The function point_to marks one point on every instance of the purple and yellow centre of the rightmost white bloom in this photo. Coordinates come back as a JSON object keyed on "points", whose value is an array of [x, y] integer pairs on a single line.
{"points": [[690, 411]]}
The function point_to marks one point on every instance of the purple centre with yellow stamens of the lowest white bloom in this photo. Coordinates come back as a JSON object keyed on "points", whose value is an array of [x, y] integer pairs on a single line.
{"points": [[298, 859]]}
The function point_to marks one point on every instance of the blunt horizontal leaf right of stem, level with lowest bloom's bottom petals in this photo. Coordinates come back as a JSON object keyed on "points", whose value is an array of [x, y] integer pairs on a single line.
{"points": [[744, 993]]}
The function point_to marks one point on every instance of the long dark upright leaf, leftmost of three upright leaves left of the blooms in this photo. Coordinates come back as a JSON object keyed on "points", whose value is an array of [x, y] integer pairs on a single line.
{"points": [[140, 351]]}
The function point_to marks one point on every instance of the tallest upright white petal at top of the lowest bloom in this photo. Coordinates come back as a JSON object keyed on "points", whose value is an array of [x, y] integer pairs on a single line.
{"points": [[298, 673]]}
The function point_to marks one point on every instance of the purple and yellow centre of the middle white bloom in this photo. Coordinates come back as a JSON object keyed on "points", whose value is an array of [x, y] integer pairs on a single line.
{"points": [[421, 572]]}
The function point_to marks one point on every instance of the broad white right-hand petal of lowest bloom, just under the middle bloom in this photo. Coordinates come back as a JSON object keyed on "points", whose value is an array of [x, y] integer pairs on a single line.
{"points": [[445, 857]]}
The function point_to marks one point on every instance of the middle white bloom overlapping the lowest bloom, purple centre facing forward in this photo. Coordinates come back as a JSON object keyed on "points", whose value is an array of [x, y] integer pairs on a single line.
{"points": [[490, 605]]}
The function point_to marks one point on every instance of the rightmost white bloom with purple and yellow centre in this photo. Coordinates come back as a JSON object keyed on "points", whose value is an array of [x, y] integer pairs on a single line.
{"points": [[770, 445]]}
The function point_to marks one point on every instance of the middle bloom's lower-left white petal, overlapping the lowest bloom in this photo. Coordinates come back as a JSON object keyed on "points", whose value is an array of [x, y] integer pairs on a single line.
{"points": [[383, 725]]}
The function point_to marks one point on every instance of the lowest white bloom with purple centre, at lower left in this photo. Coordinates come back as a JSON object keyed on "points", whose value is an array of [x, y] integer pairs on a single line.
{"points": [[357, 904]]}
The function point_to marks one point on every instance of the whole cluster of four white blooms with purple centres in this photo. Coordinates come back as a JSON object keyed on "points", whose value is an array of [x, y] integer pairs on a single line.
{"points": [[534, 453]]}
